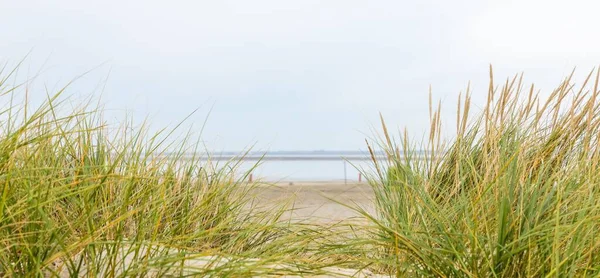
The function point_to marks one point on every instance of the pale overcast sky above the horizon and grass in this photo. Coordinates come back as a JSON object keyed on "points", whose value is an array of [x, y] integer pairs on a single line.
{"points": [[291, 75]]}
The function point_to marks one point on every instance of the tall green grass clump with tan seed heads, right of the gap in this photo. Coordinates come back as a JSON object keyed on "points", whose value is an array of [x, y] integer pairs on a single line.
{"points": [[515, 194]]}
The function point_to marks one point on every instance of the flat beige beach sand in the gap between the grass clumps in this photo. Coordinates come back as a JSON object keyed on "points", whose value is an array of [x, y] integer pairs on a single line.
{"points": [[321, 202]]}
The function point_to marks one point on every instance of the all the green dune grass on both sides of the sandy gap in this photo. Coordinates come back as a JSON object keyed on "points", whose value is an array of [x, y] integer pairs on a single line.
{"points": [[514, 194]]}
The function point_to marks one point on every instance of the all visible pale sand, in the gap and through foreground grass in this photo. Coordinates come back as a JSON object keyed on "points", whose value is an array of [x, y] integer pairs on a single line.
{"points": [[313, 202]]}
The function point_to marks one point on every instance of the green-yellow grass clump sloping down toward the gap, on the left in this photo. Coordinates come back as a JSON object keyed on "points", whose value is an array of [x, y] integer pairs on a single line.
{"points": [[79, 197]]}
